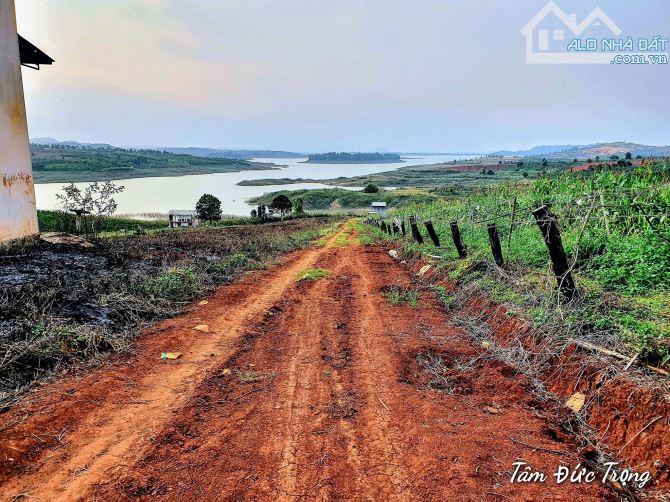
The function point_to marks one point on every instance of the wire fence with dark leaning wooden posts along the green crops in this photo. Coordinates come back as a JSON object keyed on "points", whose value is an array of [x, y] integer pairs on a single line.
{"points": [[506, 223]]}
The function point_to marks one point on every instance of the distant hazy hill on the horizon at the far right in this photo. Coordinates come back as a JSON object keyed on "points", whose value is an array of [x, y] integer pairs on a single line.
{"points": [[589, 151]]}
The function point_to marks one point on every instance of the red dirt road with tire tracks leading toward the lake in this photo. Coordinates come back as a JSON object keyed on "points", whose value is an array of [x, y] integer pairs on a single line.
{"points": [[300, 390]]}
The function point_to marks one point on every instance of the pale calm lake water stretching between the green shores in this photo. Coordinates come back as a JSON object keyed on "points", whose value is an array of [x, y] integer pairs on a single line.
{"points": [[159, 195]]}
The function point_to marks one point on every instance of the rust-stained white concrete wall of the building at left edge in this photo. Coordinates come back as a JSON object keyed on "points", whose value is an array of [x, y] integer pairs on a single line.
{"points": [[18, 216]]}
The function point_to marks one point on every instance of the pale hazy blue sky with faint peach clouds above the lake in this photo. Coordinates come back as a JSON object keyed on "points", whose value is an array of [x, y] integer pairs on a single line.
{"points": [[332, 75]]}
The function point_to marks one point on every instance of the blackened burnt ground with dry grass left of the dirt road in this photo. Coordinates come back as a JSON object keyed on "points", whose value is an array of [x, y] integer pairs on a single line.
{"points": [[67, 302]]}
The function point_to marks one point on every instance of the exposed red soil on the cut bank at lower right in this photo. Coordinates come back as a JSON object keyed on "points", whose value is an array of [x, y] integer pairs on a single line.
{"points": [[632, 419]]}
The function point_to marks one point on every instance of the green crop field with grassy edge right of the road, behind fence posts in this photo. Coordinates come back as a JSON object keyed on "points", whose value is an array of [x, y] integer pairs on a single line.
{"points": [[614, 224]]}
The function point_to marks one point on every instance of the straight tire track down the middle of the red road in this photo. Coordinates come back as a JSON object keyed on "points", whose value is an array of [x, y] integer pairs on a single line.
{"points": [[317, 395]]}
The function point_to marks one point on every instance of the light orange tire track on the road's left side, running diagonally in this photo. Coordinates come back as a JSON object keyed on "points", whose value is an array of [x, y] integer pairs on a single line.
{"points": [[111, 435]]}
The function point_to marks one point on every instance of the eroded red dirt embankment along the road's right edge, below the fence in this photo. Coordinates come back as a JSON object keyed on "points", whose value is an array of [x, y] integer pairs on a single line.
{"points": [[626, 410]]}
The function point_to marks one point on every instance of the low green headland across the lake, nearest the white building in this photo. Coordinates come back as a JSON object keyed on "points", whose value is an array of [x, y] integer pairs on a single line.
{"points": [[56, 164]]}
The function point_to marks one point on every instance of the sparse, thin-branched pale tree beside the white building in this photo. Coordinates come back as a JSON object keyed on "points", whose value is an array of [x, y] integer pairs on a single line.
{"points": [[96, 199]]}
